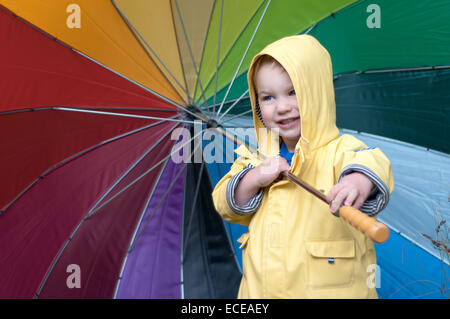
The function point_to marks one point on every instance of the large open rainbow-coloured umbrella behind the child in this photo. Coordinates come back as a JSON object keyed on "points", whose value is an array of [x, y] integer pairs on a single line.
{"points": [[92, 203]]}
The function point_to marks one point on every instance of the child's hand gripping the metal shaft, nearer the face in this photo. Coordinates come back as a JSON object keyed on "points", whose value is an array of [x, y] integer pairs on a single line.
{"points": [[270, 170]]}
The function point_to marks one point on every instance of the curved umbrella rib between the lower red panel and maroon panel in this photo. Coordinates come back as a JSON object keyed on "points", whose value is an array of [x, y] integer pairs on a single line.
{"points": [[70, 158]]}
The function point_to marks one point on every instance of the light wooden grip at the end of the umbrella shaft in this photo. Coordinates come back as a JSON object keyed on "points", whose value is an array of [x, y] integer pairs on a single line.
{"points": [[377, 231]]}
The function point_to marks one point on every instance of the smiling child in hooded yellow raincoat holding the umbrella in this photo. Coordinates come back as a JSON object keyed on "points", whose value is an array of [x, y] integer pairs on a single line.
{"points": [[294, 247]]}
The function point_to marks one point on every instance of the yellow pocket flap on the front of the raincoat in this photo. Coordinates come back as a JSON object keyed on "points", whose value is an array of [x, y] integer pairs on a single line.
{"points": [[331, 248]]}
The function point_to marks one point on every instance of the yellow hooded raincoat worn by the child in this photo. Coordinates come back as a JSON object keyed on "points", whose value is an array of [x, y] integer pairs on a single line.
{"points": [[295, 248]]}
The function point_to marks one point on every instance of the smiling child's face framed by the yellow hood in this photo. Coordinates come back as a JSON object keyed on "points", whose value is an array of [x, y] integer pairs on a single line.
{"points": [[278, 102]]}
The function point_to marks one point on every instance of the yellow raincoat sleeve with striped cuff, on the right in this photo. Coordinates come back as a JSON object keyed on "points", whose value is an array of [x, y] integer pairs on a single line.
{"points": [[352, 155]]}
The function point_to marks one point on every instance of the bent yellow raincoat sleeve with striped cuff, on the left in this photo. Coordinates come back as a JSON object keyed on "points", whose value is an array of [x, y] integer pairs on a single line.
{"points": [[223, 195]]}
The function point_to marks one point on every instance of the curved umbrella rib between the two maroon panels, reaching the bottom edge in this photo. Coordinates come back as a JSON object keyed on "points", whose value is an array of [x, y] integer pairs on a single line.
{"points": [[47, 275]]}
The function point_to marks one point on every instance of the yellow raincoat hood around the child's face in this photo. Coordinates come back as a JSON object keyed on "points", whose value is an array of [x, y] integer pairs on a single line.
{"points": [[308, 65]]}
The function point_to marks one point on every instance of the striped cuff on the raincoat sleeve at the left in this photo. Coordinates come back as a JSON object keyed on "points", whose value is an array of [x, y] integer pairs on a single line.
{"points": [[253, 203]]}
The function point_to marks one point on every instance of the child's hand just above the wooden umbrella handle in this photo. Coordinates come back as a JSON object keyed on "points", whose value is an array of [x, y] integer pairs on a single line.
{"points": [[352, 190]]}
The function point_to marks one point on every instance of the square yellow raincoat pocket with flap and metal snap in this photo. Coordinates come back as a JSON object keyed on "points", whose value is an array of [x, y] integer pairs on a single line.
{"points": [[330, 263]]}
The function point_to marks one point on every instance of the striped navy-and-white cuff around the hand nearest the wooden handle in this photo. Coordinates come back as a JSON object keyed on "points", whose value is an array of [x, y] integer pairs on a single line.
{"points": [[378, 197]]}
